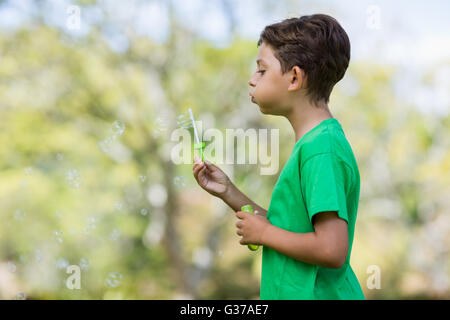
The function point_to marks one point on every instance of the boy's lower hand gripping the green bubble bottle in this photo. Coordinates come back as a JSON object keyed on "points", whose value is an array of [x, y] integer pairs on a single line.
{"points": [[251, 227]]}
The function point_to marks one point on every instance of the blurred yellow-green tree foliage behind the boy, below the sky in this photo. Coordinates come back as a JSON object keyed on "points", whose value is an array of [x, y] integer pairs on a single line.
{"points": [[60, 99]]}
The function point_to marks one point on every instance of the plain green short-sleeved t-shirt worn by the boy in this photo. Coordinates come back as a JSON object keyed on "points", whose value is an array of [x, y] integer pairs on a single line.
{"points": [[321, 174]]}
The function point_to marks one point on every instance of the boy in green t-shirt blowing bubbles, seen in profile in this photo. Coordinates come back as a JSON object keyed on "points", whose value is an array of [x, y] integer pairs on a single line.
{"points": [[307, 232]]}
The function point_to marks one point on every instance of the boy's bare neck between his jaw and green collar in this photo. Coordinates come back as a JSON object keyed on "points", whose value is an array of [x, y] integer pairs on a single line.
{"points": [[305, 116]]}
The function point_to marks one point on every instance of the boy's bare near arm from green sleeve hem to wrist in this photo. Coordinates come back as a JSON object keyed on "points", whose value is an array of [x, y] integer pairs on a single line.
{"points": [[327, 246]]}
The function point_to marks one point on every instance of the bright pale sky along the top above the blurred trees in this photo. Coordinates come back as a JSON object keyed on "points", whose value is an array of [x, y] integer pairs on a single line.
{"points": [[412, 35]]}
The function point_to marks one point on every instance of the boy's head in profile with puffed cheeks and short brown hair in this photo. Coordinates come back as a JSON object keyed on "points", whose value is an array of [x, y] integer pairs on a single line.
{"points": [[299, 58]]}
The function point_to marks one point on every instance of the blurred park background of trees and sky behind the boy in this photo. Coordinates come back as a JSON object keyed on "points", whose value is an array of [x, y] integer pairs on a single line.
{"points": [[90, 92]]}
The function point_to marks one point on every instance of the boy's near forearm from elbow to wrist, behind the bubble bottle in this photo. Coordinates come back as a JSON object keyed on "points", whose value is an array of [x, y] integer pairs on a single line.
{"points": [[306, 247]]}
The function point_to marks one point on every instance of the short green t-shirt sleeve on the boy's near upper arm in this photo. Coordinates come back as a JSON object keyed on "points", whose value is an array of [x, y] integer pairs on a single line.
{"points": [[323, 183]]}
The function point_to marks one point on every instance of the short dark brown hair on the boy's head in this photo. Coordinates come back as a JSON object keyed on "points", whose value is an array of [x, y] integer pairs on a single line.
{"points": [[315, 43]]}
